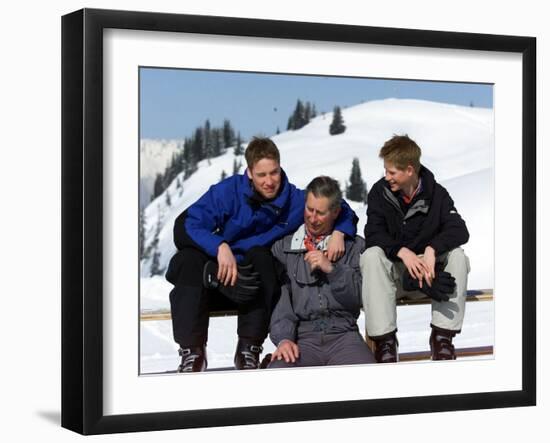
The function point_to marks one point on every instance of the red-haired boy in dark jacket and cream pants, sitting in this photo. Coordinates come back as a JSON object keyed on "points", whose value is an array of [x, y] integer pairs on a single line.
{"points": [[413, 237]]}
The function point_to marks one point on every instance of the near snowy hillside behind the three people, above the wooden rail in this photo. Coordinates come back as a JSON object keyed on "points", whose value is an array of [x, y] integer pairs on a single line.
{"points": [[457, 144]]}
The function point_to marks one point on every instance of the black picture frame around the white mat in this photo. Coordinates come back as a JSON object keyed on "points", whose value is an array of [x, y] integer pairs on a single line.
{"points": [[82, 218]]}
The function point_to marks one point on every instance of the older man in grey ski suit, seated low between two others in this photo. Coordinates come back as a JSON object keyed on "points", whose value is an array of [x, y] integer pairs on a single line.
{"points": [[315, 320]]}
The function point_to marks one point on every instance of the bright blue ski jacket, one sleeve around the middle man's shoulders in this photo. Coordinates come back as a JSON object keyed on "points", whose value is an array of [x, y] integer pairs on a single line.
{"points": [[232, 212]]}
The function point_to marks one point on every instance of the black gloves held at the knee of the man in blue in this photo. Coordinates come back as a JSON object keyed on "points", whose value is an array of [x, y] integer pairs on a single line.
{"points": [[246, 288]]}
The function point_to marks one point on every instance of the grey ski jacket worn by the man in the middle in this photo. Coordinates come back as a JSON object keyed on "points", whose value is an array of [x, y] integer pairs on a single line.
{"points": [[315, 301]]}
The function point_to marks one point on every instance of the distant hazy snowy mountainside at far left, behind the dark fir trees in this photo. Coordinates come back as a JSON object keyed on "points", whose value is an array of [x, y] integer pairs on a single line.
{"points": [[155, 155]]}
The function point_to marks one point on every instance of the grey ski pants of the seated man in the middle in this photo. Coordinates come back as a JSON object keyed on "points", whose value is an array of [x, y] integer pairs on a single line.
{"points": [[322, 349]]}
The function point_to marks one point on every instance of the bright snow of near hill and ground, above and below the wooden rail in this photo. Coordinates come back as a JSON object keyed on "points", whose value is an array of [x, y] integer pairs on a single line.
{"points": [[457, 145]]}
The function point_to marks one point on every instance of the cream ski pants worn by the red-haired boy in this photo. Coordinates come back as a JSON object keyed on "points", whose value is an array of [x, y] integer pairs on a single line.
{"points": [[382, 285]]}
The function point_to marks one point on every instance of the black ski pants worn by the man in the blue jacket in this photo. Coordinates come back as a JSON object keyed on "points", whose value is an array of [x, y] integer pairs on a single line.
{"points": [[190, 302]]}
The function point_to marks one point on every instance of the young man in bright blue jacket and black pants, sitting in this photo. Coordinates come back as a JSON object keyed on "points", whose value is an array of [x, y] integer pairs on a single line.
{"points": [[223, 242]]}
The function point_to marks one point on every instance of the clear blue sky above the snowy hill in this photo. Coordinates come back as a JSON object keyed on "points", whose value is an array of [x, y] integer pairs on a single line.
{"points": [[173, 102]]}
